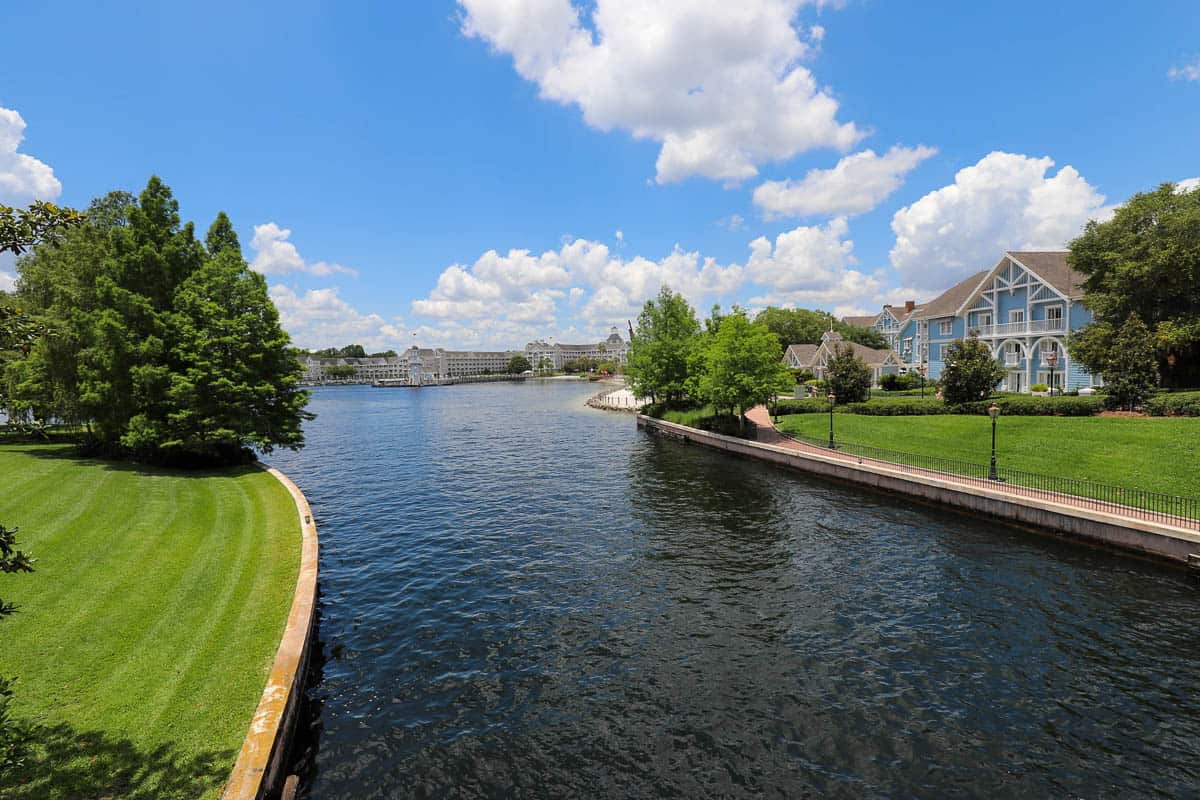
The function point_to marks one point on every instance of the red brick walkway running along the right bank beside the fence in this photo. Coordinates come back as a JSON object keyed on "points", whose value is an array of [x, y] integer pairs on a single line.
{"points": [[767, 434]]}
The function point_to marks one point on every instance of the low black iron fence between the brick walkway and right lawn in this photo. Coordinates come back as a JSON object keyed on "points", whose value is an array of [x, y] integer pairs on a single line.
{"points": [[1168, 509]]}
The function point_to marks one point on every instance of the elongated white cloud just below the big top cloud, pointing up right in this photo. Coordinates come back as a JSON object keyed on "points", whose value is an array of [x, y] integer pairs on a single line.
{"points": [[856, 185]]}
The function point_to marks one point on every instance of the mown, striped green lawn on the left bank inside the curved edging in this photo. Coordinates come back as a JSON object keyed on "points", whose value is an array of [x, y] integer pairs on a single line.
{"points": [[146, 636]]}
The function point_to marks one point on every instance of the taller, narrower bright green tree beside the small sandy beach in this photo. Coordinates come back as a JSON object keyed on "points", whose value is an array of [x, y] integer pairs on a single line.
{"points": [[661, 347]]}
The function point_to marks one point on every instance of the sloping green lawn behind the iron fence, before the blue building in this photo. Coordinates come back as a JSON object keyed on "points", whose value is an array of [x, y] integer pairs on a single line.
{"points": [[1160, 455]]}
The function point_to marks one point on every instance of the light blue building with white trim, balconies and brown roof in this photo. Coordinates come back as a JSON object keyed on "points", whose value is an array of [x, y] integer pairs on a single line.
{"points": [[1024, 309]]}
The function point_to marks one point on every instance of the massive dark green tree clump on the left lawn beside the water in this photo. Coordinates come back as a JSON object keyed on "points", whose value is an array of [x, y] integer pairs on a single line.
{"points": [[165, 348]]}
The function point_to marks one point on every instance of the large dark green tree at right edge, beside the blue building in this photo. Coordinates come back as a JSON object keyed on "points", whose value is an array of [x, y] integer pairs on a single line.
{"points": [[1145, 262]]}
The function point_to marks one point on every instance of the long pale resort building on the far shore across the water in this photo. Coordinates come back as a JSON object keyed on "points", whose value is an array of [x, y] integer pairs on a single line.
{"points": [[429, 366]]}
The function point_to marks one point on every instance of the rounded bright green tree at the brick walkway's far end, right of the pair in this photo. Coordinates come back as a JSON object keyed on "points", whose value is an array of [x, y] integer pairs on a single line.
{"points": [[740, 365]]}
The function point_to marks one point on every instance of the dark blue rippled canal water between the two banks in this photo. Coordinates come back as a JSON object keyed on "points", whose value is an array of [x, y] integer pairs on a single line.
{"points": [[523, 597]]}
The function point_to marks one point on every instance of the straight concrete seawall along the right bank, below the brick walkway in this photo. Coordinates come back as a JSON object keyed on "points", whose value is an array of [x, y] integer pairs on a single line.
{"points": [[1148, 538]]}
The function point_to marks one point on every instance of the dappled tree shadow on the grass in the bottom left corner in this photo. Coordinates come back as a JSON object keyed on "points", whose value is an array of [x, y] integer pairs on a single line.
{"points": [[65, 763]]}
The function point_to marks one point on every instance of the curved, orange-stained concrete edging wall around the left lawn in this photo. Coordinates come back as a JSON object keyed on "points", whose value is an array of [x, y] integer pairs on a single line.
{"points": [[262, 767]]}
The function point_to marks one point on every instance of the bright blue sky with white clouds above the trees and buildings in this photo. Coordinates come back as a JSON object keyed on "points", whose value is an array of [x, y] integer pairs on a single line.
{"points": [[487, 172]]}
